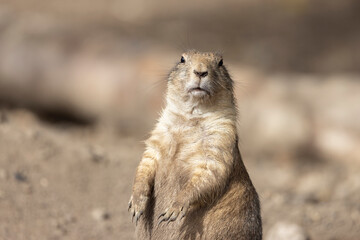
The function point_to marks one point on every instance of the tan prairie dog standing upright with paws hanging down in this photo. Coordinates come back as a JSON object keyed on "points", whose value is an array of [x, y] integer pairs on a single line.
{"points": [[191, 182]]}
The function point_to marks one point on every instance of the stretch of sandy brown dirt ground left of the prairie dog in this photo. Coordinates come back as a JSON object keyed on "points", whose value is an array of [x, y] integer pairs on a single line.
{"points": [[64, 182]]}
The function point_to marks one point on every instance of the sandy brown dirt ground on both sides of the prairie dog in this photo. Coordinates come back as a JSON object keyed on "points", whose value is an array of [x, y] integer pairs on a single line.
{"points": [[66, 181]]}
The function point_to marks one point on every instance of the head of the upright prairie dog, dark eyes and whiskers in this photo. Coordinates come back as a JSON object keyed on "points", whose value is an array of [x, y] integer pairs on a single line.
{"points": [[199, 78]]}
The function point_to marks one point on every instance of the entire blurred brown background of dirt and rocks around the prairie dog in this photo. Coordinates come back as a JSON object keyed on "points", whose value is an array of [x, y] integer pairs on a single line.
{"points": [[82, 83]]}
